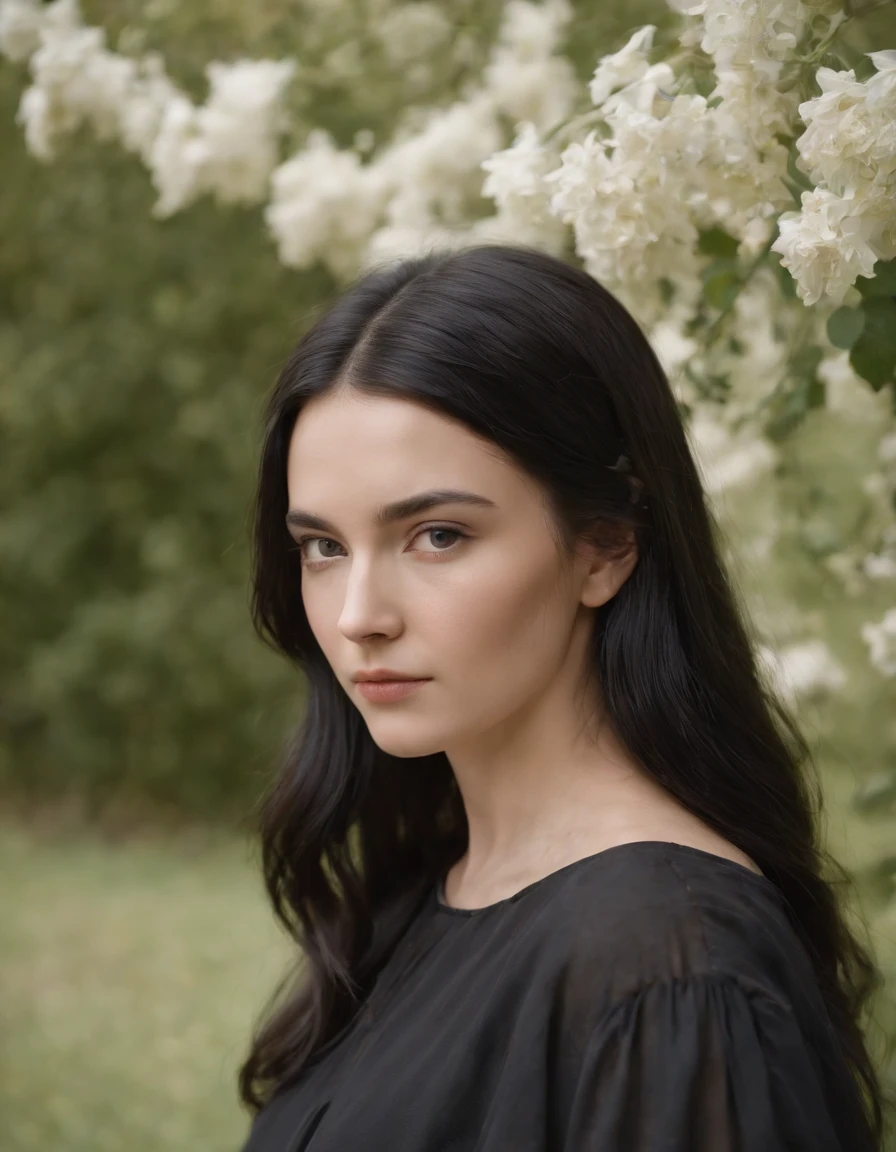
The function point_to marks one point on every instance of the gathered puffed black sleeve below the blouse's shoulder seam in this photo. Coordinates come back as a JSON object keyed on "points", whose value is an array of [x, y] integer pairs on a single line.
{"points": [[700, 1065]]}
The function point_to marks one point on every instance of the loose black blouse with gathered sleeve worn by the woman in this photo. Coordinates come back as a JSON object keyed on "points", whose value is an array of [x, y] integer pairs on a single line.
{"points": [[651, 998]]}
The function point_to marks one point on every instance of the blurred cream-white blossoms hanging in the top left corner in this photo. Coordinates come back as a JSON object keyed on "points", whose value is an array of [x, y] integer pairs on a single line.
{"points": [[227, 147]]}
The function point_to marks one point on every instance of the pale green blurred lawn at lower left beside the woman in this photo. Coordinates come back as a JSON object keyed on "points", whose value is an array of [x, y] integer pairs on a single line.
{"points": [[130, 979]]}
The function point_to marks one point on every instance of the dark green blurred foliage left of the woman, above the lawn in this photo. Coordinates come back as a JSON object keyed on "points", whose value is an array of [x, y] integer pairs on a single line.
{"points": [[135, 357]]}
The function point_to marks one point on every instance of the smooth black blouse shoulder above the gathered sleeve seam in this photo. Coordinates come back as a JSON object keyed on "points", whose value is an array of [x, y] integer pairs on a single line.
{"points": [[651, 912]]}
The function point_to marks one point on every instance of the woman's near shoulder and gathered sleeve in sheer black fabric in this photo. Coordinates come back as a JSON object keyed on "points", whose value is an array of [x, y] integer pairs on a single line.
{"points": [[685, 983]]}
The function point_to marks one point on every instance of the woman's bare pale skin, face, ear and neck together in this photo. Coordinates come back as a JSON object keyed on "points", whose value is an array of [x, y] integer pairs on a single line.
{"points": [[499, 622]]}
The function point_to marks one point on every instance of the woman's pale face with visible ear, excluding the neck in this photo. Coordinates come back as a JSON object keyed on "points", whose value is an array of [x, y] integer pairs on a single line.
{"points": [[474, 597]]}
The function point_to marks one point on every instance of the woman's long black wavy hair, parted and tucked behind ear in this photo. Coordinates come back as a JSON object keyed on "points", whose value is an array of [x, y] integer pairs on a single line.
{"points": [[538, 358]]}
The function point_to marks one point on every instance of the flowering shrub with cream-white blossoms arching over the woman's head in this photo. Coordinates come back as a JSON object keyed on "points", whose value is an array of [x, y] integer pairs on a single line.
{"points": [[730, 172]]}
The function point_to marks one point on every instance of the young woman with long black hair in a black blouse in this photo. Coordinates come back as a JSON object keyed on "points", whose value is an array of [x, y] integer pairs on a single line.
{"points": [[544, 837]]}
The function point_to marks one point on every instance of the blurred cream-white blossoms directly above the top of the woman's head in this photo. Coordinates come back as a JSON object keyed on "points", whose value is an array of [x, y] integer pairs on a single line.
{"points": [[426, 186]]}
